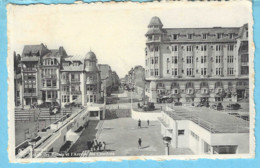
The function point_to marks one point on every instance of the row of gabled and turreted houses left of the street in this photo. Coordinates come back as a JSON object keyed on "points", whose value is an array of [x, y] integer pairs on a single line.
{"points": [[43, 75]]}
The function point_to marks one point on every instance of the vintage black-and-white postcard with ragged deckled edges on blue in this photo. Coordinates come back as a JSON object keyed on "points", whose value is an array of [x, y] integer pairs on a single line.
{"points": [[115, 81]]}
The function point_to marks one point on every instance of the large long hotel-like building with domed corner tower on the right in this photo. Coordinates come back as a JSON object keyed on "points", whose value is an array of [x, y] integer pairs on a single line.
{"points": [[196, 64]]}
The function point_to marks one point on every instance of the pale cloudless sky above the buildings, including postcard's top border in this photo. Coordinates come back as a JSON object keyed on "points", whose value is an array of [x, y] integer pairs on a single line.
{"points": [[115, 32]]}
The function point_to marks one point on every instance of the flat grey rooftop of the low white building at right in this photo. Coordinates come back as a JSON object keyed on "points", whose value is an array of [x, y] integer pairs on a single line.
{"points": [[212, 120]]}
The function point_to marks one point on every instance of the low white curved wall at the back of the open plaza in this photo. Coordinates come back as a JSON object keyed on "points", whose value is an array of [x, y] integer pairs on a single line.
{"points": [[145, 115]]}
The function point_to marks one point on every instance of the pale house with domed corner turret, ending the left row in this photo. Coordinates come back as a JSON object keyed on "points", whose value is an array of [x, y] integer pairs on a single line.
{"points": [[80, 80]]}
